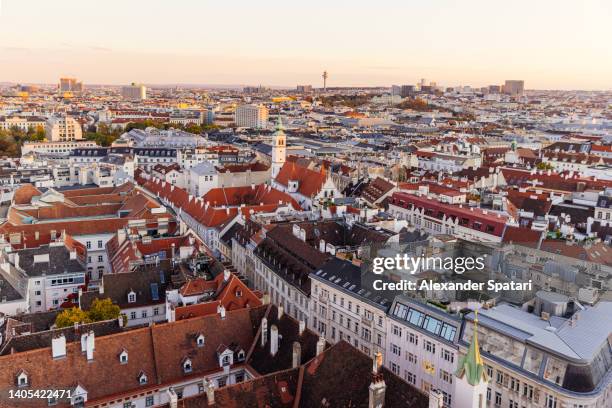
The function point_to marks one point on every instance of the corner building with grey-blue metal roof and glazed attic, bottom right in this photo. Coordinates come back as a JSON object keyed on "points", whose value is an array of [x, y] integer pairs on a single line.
{"points": [[541, 359]]}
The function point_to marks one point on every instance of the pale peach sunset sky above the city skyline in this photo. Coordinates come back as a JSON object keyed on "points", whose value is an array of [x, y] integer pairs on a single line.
{"points": [[560, 44]]}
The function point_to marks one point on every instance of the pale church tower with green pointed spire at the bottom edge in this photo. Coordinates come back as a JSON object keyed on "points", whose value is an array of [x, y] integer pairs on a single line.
{"points": [[471, 376]]}
